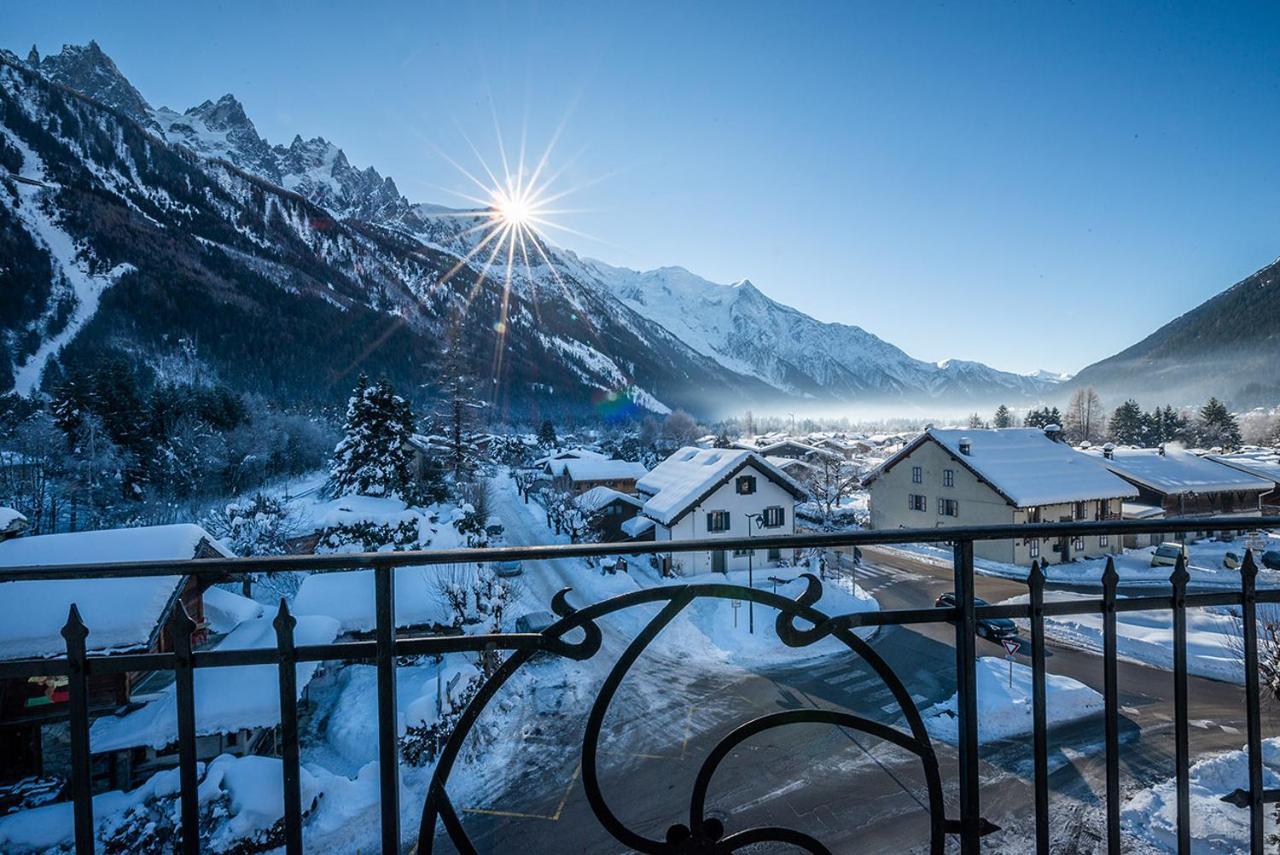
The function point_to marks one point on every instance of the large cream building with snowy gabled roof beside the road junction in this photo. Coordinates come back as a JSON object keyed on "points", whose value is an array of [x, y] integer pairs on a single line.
{"points": [[1008, 477]]}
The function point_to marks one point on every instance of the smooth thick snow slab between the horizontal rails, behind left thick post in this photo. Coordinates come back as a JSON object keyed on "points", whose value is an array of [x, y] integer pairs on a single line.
{"points": [[349, 597]]}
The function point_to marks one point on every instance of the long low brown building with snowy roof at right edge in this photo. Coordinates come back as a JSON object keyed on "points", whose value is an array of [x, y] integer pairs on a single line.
{"points": [[1181, 484]]}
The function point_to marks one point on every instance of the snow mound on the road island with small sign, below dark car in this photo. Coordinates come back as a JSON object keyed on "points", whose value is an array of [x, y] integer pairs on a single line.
{"points": [[1004, 711]]}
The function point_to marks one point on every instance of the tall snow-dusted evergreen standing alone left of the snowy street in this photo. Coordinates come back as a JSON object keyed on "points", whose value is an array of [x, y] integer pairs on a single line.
{"points": [[372, 459]]}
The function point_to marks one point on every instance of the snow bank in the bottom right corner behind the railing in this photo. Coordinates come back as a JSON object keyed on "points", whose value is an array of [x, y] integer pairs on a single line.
{"points": [[1217, 827]]}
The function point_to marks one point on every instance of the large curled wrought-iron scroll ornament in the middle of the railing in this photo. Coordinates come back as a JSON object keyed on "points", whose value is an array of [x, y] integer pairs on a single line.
{"points": [[703, 834]]}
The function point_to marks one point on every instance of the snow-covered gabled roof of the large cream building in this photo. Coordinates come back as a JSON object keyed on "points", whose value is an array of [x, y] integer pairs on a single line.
{"points": [[1023, 465]]}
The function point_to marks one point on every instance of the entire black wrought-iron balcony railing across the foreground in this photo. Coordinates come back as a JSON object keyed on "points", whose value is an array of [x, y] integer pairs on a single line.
{"points": [[799, 625]]}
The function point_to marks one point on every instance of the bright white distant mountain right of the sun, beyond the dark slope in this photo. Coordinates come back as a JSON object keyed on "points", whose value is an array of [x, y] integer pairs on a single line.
{"points": [[747, 332]]}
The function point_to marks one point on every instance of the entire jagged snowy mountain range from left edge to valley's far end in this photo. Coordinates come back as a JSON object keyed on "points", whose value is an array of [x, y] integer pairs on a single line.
{"points": [[191, 244]]}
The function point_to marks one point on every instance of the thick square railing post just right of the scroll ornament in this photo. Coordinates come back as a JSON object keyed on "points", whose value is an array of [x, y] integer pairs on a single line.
{"points": [[967, 706]]}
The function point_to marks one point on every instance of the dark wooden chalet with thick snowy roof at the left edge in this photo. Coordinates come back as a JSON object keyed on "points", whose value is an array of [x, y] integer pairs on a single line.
{"points": [[122, 615]]}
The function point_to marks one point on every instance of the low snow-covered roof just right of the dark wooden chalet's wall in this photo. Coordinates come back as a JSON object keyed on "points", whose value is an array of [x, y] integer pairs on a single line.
{"points": [[227, 699]]}
